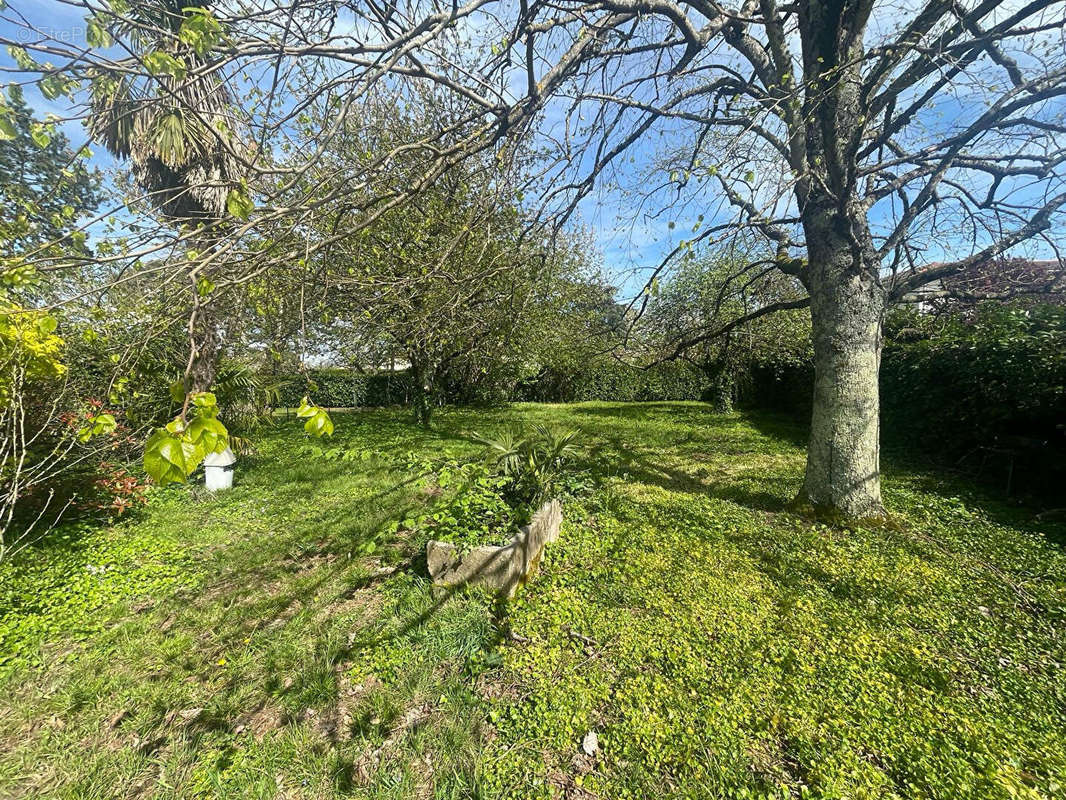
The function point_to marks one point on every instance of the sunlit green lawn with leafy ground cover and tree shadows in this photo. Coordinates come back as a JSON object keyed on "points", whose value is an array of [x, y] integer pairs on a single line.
{"points": [[250, 645]]}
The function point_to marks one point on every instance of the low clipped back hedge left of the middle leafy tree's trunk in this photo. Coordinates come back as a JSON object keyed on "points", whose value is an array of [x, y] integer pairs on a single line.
{"points": [[345, 389]]}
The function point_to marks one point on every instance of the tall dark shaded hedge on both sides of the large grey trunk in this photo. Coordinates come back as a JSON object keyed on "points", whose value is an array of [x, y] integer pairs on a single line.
{"points": [[983, 392]]}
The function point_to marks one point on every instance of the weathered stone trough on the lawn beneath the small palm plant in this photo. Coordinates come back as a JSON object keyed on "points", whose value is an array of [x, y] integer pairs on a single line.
{"points": [[502, 568]]}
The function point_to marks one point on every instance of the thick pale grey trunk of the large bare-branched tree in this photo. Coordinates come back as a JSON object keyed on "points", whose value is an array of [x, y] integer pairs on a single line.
{"points": [[848, 309]]}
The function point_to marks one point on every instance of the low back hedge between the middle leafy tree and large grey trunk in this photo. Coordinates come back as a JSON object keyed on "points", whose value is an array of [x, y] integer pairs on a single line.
{"points": [[617, 382]]}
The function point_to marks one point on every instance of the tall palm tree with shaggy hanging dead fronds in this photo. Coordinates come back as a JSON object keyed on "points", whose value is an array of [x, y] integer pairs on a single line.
{"points": [[176, 130]]}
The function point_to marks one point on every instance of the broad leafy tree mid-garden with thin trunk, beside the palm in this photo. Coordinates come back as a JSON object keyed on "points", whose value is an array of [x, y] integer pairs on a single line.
{"points": [[460, 286]]}
